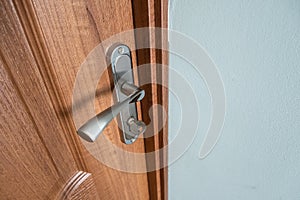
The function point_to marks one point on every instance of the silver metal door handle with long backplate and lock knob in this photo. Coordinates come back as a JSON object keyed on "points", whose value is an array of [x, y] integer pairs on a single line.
{"points": [[127, 95]]}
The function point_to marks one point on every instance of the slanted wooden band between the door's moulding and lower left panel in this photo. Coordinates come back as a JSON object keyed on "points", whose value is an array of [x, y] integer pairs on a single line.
{"points": [[17, 56]]}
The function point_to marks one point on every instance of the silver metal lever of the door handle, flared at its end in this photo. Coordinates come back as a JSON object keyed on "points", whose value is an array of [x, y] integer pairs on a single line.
{"points": [[94, 127]]}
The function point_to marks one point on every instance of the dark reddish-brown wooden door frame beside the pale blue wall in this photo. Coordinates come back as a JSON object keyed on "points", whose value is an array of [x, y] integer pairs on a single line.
{"points": [[157, 17]]}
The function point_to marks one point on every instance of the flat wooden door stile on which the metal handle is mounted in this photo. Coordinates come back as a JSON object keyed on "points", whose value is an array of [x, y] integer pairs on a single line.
{"points": [[71, 29]]}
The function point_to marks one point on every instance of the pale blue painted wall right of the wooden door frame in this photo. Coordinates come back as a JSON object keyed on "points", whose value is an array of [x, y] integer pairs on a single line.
{"points": [[256, 47]]}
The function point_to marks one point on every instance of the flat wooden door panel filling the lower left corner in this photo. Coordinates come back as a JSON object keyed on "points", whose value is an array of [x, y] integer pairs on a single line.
{"points": [[24, 158]]}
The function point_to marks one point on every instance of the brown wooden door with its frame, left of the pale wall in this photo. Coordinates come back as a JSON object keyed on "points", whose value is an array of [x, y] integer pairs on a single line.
{"points": [[43, 43]]}
